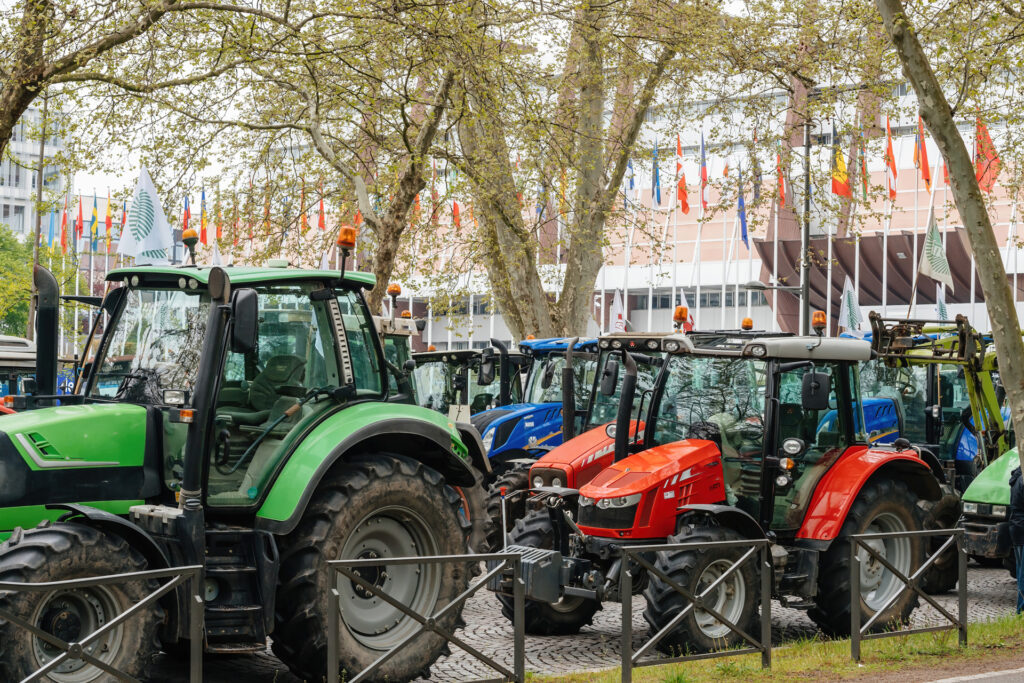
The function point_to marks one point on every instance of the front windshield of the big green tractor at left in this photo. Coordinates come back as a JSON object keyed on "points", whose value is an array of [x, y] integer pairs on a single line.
{"points": [[154, 346]]}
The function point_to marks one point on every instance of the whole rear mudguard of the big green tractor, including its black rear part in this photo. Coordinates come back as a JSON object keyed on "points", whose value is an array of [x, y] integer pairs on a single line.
{"points": [[371, 428]]}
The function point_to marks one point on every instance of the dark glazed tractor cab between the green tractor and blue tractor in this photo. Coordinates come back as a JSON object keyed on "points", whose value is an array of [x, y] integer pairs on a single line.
{"points": [[463, 382]]}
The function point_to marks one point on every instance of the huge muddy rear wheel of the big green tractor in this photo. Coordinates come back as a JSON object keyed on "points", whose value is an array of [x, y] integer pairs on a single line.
{"points": [[370, 506]]}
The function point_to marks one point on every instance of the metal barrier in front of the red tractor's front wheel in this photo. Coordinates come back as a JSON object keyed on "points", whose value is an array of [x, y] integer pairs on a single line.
{"points": [[631, 554]]}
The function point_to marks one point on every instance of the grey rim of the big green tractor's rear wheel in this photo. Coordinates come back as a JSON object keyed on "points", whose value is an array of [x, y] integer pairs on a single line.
{"points": [[393, 532]]}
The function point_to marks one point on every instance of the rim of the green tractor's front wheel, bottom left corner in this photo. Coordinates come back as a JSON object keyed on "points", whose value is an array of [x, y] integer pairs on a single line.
{"points": [[72, 616]]}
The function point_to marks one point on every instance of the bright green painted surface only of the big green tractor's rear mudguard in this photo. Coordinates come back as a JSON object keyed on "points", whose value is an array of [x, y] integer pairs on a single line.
{"points": [[304, 469]]}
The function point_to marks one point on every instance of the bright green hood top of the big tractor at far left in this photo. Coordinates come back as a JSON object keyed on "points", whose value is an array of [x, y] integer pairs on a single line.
{"points": [[79, 437]]}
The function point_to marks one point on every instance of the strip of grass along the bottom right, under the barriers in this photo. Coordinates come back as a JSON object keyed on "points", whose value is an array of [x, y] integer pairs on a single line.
{"points": [[816, 659]]}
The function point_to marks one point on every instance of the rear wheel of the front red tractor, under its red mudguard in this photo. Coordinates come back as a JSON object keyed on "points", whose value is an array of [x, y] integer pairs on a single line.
{"points": [[883, 505]]}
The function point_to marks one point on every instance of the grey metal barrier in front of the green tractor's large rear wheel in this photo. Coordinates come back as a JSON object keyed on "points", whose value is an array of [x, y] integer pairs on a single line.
{"points": [[498, 564]]}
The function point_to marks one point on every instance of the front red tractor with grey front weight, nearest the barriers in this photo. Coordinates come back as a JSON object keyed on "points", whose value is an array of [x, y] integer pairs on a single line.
{"points": [[747, 437]]}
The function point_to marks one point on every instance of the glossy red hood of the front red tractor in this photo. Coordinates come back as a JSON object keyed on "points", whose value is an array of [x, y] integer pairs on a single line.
{"points": [[671, 466]]}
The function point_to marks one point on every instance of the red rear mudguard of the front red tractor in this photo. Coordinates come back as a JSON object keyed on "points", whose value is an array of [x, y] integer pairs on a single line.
{"points": [[842, 484]]}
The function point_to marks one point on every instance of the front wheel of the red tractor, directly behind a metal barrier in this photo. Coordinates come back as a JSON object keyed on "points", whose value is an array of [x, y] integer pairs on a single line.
{"points": [[736, 599]]}
